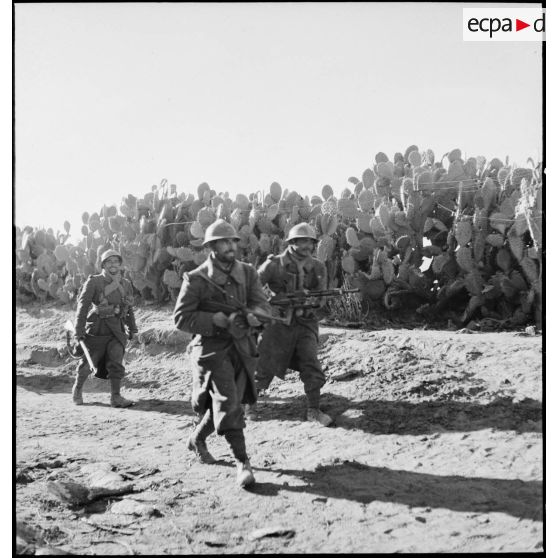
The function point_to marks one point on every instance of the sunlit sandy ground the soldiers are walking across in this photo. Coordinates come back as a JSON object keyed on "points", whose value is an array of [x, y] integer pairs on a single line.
{"points": [[437, 447]]}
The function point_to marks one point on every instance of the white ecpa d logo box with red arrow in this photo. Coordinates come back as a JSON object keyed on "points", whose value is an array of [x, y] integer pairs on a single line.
{"points": [[503, 24]]}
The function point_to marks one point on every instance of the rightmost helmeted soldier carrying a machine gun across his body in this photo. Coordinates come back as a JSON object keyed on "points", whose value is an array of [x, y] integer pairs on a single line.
{"points": [[294, 346]]}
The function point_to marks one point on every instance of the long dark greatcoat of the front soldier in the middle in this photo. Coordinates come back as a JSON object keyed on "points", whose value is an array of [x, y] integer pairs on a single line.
{"points": [[221, 364]]}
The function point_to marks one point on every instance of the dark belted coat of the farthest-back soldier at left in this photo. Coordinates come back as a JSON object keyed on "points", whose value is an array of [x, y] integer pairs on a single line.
{"points": [[105, 338]]}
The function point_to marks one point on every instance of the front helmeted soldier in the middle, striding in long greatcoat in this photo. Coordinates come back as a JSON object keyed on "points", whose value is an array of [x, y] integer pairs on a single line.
{"points": [[223, 351]]}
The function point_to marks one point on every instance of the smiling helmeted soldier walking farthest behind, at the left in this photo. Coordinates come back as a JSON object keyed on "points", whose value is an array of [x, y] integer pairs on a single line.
{"points": [[105, 321]]}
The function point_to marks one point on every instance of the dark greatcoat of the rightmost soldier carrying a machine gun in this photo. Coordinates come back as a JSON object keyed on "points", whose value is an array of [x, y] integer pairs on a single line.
{"points": [[294, 346]]}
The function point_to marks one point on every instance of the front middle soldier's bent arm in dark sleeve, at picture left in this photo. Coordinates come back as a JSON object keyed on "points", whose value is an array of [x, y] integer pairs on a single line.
{"points": [[186, 315]]}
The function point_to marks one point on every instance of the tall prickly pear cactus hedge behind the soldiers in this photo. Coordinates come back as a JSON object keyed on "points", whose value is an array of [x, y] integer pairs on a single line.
{"points": [[461, 237]]}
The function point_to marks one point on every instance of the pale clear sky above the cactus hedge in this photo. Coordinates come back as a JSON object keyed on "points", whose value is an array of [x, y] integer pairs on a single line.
{"points": [[112, 98]]}
